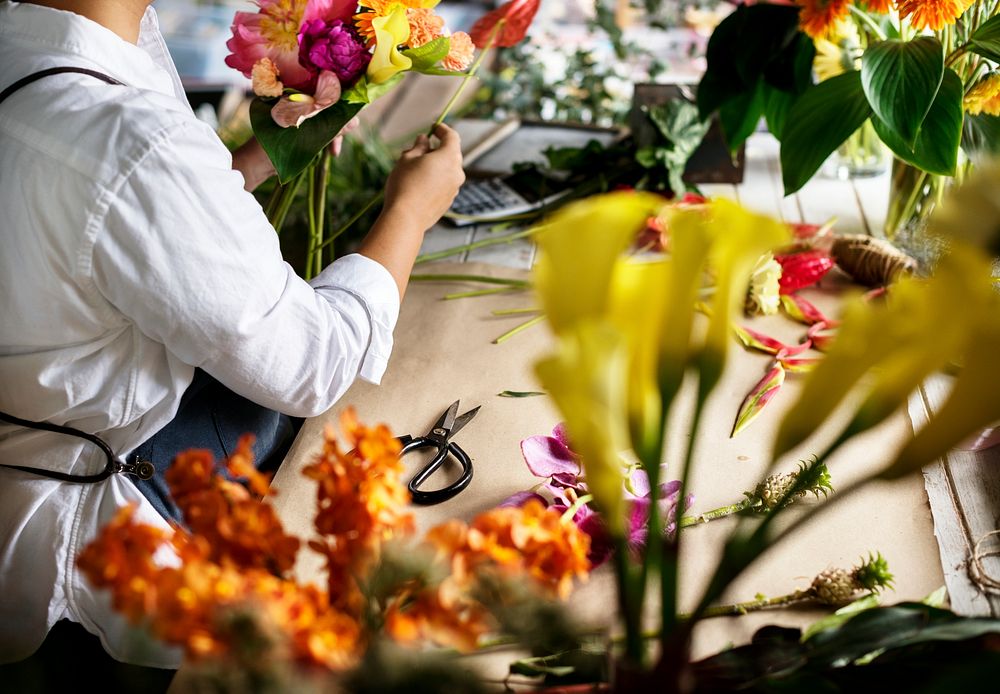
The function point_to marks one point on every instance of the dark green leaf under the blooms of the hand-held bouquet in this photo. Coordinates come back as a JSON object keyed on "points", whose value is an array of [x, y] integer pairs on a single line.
{"points": [[292, 149]]}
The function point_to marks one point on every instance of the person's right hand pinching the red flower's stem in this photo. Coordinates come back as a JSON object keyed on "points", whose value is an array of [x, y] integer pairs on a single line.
{"points": [[425, 181]]}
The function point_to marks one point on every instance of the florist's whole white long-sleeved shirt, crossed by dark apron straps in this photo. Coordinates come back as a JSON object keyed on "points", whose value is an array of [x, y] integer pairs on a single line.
{"points": [[129, 255]]}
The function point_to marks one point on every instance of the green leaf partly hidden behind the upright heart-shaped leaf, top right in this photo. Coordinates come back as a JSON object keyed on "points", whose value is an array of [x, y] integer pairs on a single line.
{"points": [[936, 148]]}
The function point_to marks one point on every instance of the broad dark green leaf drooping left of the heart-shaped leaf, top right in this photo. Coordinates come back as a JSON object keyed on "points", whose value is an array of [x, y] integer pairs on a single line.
{"points": [[818, 122]]}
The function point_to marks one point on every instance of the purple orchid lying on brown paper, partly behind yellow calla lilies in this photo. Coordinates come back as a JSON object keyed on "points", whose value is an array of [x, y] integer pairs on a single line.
{"points": [[551, 458]]}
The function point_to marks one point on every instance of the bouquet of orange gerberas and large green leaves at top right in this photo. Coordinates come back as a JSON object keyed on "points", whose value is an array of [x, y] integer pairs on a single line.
{"points": [[921, 73]]}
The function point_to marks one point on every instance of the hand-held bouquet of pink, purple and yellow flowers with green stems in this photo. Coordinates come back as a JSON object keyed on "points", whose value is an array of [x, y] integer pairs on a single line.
{"points": [[314, 64]]}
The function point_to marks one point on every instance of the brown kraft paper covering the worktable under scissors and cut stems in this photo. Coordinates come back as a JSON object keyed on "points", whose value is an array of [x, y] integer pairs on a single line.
{"points": [[443, 352]]}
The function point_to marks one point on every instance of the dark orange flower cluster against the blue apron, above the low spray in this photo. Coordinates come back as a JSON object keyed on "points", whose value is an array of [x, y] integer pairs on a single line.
{"points": [[237, 527]]}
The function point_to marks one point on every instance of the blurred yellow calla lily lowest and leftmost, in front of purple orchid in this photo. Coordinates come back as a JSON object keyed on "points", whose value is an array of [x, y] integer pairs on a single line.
{"points": [[587, 379]]}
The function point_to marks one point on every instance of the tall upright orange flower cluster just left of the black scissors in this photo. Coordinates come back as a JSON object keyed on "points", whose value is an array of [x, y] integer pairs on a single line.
{"points": [[361, 501]]}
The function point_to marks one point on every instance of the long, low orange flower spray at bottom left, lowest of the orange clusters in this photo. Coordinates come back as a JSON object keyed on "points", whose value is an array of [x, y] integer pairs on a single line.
{"points": [[186, 604]]}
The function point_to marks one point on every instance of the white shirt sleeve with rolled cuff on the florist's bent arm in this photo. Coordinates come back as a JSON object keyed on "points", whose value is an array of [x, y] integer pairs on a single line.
{"points": [[188, 256]]}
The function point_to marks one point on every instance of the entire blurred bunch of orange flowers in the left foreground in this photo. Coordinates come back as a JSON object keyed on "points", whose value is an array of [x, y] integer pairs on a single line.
{"points": [[234, 560]]}
